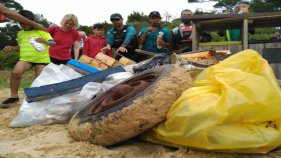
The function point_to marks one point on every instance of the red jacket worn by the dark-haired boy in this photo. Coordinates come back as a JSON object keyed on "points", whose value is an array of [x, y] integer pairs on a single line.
{"points": [[93, 44]]}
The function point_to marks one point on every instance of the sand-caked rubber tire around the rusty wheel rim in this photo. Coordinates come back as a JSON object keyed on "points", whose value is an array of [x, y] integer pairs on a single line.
{"points": [[134, 116]]}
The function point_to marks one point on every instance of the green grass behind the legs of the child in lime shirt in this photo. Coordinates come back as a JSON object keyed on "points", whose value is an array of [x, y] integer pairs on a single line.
{"points": [[26, 80]]}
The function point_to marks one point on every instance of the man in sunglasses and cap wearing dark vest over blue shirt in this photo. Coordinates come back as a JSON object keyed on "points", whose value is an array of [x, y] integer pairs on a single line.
{"points": [[122, 38]]}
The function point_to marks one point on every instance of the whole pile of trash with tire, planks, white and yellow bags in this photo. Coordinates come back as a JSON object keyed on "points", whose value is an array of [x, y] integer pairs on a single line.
{"points": [[233, 104]]}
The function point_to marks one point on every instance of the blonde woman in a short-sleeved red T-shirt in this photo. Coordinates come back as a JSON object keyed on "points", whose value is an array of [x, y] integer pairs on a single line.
{"points": [[65, 36]]}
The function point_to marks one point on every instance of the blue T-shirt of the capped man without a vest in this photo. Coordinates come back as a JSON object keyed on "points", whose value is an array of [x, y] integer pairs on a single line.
{"points": [[150, 42]]}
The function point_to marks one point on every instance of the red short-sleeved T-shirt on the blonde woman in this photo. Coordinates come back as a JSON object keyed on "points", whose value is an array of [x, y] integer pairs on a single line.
{"points": [[64, 41]]}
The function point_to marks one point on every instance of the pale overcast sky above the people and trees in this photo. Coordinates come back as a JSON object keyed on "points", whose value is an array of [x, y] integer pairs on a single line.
{"points": [[93, 11]]}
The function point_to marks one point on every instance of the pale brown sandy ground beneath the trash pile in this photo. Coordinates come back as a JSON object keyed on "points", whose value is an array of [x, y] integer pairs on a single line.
{"points": [[54, 141]]}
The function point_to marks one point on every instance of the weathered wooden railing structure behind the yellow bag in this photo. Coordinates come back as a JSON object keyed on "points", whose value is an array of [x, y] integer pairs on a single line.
{"points": [[233, 21]]}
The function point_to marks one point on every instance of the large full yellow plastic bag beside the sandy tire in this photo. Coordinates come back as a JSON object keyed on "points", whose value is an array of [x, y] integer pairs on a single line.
{"points": [[234, 106]]}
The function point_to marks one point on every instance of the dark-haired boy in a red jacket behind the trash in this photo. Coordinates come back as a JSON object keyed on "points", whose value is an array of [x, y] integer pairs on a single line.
{"points": [[94, 43]]}
